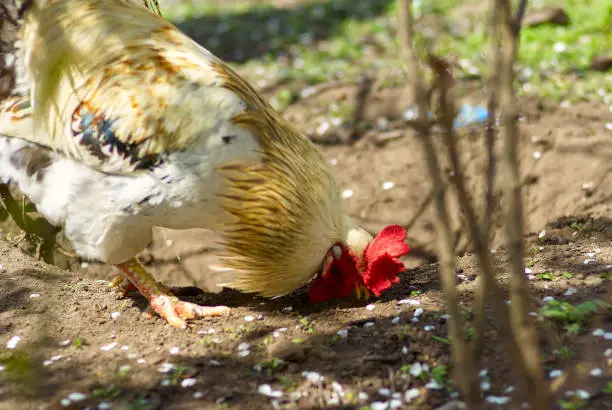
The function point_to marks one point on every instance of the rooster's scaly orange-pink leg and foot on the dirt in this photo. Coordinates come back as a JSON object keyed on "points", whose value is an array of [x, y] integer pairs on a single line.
{"points": [[168, 306]]}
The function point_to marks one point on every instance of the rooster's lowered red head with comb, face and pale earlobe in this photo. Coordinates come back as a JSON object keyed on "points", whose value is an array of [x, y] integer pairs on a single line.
{"points": [[362, 264]]}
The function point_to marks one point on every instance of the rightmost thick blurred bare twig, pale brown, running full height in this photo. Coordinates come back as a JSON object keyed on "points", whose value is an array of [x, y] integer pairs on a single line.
{"points": [[525, 334]]}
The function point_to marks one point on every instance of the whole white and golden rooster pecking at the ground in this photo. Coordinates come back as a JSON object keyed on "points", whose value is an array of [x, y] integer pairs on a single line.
{"points": [[119, 122]]}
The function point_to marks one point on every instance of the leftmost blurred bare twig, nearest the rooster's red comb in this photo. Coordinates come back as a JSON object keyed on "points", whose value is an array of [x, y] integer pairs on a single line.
{"points": [[465, 372]]}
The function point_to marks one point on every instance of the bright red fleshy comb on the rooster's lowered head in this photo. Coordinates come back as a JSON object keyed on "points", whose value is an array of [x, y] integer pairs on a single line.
{"points": [[382, 259]]}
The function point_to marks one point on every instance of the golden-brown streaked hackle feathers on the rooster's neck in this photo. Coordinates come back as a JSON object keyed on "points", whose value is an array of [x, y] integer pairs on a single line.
{"points": [[279, 203]]}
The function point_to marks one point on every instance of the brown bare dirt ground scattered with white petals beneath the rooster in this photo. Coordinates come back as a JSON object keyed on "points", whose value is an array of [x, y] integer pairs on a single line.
{"points": [[78, 344]]}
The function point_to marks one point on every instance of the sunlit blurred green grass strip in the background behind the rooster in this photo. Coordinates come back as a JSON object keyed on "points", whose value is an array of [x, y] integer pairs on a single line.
{"points": [[323, 41]]}
